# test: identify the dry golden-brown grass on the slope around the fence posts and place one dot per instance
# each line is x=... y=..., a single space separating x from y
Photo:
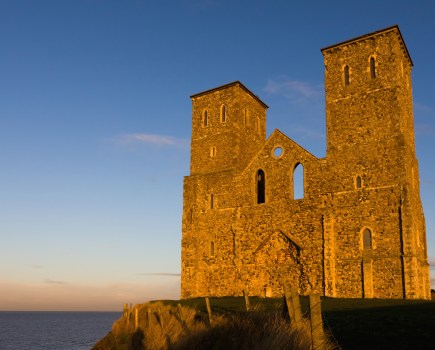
x=163 y=326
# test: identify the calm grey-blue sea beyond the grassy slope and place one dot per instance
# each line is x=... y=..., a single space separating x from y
x=53 y=330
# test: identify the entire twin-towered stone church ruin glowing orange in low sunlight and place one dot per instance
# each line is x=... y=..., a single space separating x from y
x=357 y=231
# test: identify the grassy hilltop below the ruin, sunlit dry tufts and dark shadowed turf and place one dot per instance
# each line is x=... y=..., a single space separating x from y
x=352 y=324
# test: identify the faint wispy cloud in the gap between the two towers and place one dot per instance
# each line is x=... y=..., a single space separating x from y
x=294 y=90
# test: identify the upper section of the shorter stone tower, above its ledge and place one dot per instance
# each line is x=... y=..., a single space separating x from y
x=228 y=128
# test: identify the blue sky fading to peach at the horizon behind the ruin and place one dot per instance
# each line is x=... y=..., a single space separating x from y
x=95 y=123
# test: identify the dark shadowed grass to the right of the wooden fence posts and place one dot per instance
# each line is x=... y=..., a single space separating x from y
x=381 y=324
